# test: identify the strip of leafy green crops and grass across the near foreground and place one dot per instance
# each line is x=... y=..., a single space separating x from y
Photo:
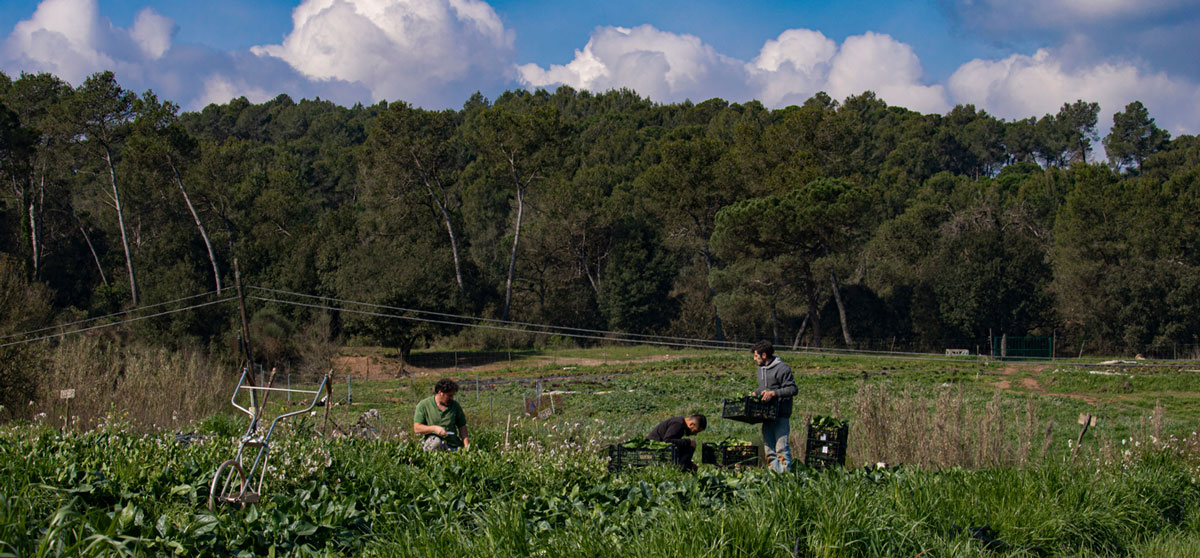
x=106 y=493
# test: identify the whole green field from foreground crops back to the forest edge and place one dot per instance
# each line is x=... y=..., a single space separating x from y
x=982 y=463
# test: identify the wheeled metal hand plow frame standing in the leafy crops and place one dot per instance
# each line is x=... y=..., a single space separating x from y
x=233 y=483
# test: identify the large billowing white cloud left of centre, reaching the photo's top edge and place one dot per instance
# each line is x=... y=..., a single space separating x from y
x=434 y=53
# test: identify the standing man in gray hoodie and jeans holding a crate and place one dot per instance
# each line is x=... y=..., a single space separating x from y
x=776 y=382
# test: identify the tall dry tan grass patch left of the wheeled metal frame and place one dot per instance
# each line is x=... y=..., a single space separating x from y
x=154 y=388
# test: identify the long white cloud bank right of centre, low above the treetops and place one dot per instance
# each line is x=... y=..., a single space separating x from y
x=670 y=68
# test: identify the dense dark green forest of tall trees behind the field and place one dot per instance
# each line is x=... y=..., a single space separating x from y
x=835 y=224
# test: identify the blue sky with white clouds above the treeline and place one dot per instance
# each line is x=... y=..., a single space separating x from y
x=1013 y=58
